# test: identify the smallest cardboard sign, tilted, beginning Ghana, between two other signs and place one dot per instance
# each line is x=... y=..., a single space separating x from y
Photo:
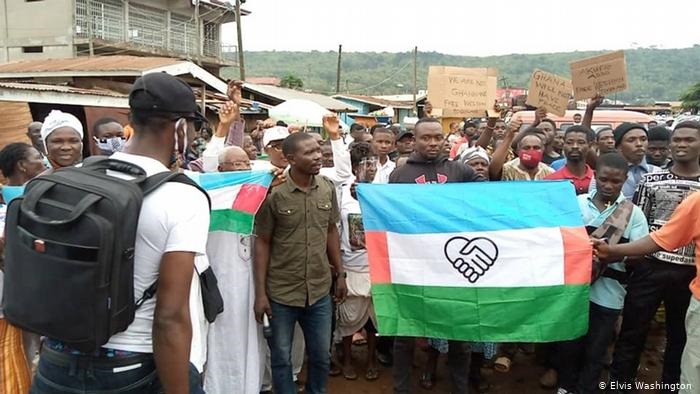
x=550 y=91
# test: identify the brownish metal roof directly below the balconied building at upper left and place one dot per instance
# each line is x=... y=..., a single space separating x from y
x=88 y=64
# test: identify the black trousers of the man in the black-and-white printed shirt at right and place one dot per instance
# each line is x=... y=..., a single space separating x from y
x=651 y=283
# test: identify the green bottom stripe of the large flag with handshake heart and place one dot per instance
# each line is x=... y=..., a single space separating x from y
x=493 y=314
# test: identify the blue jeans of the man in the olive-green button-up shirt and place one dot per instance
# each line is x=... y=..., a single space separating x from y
x=315 y=322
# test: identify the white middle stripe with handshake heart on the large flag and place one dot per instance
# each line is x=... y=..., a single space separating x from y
x=526 y=258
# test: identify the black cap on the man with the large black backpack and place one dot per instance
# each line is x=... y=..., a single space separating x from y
x=163 y=93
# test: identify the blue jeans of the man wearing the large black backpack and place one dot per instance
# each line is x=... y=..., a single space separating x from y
x=83 y=378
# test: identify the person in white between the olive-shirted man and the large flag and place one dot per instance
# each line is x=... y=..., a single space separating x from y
x=357 y=312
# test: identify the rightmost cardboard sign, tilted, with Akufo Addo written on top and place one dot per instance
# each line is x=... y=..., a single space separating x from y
x=599 y=75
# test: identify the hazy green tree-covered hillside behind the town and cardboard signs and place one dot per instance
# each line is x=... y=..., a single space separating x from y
x=654 y=74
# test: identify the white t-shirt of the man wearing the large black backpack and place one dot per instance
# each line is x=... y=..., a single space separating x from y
x=173 y=218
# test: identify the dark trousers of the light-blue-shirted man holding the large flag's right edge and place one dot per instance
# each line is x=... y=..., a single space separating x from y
x=582 y=360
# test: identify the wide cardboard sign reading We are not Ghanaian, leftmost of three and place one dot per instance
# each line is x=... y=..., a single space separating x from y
x=462 y=92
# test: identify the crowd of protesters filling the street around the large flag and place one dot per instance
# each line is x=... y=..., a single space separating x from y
x=301 y=285
